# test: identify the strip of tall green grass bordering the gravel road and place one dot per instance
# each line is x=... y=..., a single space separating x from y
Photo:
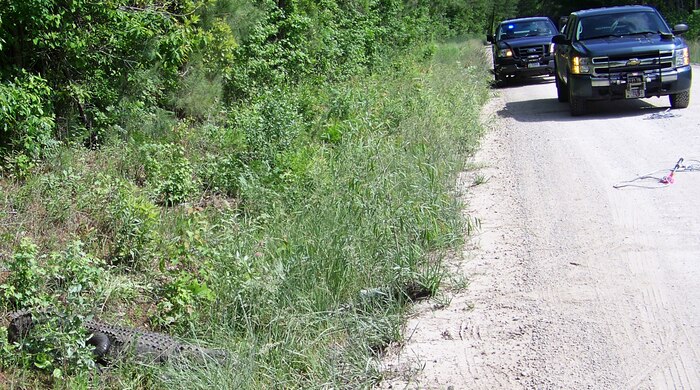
x=380 y=210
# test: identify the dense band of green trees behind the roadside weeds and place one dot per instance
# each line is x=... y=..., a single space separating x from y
x=82 y=71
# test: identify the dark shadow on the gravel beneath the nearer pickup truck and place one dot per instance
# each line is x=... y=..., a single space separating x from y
x=550 y=109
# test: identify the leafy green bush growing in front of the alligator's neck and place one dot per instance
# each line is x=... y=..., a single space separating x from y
x=61 y=290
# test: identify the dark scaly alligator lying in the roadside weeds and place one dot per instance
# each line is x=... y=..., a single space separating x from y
x=112 y=342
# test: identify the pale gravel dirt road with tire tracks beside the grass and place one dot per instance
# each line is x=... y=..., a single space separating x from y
x=574 y=284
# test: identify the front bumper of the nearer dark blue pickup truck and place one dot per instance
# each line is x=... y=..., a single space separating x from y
x=614 y=86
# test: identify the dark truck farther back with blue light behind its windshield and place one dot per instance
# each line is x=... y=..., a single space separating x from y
x=521 y=47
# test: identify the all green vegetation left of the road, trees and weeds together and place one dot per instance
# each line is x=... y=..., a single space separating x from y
x=270 y=178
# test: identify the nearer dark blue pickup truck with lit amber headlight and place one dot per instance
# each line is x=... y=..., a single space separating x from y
x=625 y=52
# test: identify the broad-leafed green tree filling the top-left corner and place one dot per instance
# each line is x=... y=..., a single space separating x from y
x=95 y=54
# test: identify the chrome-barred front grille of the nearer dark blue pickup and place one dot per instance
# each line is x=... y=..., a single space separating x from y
x=637 y=62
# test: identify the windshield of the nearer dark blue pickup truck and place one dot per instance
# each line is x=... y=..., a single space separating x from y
x=620 y=24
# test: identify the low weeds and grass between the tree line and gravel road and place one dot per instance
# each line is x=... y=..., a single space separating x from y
x=300 y=264
